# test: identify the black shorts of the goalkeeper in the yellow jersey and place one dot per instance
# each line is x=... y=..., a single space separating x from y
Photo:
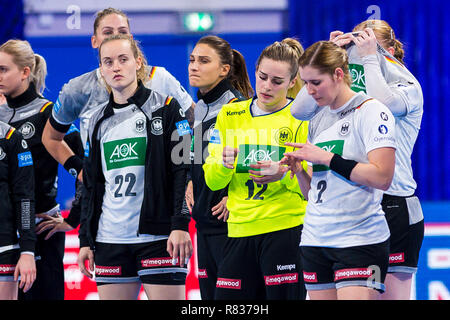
x=265 y=266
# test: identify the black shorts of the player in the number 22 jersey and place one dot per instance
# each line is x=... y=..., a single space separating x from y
x=149 y=263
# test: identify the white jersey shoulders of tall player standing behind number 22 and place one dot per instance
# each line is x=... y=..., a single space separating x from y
x=83 y=95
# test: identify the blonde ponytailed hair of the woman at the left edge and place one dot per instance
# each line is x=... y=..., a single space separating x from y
x=23 y=56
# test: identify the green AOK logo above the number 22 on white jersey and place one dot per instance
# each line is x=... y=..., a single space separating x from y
x=125 y=153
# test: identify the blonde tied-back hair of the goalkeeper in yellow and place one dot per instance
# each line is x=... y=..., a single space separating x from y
x=288 y=50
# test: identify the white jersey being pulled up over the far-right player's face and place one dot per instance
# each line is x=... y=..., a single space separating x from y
x=386 y=79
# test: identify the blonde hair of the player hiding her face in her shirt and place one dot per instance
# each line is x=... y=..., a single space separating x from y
x=385 y=34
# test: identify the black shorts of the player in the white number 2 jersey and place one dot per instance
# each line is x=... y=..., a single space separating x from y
x=335 y=268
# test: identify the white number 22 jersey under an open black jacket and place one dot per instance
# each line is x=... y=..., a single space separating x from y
x=123 y=147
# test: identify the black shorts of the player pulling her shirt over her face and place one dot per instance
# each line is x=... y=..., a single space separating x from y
x=405 y=219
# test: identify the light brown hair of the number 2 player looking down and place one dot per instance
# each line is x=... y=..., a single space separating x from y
x=326 y=57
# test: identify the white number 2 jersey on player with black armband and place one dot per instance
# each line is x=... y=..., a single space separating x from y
x=341 y=213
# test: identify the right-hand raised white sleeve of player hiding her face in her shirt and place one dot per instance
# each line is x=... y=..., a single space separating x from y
x=377 y=87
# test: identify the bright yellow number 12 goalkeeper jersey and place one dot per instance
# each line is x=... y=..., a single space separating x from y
x=255 y=208
